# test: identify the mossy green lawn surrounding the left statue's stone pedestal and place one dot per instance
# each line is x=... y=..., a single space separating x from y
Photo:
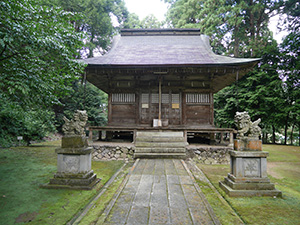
x=24 y=169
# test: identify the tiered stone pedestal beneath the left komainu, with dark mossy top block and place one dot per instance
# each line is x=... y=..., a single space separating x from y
x=74 y=165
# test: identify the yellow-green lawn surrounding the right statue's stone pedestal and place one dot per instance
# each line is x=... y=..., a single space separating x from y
x=284 y=171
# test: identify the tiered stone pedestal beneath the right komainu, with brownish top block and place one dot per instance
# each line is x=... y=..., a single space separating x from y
x=248 y=175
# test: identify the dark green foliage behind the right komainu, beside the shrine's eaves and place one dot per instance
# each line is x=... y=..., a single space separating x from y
x=259 y=93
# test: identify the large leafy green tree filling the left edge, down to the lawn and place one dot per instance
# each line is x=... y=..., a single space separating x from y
x=38 y=46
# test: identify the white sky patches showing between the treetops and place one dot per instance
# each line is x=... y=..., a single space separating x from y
x=158 y=8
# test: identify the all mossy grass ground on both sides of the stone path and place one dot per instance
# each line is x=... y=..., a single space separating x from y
x=24 y=169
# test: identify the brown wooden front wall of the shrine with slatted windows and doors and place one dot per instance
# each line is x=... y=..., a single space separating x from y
x=179 y=108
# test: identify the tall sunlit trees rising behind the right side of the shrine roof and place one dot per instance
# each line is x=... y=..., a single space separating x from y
x=239 y=27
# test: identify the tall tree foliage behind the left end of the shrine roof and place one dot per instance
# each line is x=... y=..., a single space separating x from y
x=96 y=21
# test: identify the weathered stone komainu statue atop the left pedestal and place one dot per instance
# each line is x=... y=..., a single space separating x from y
x=76 y=125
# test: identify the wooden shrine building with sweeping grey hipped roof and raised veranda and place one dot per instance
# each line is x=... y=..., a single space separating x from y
x=163 y=79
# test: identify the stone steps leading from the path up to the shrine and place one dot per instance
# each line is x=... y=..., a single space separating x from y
x=160 y=145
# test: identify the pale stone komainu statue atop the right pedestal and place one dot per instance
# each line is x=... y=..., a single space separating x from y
x=246 y=128
